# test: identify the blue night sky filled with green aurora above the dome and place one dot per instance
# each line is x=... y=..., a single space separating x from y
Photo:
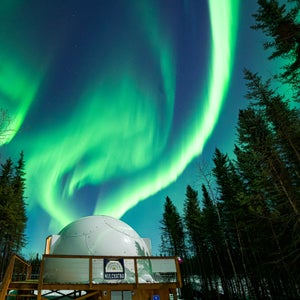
x=115 y=103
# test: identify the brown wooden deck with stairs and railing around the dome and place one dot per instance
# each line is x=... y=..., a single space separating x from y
x=46 y=288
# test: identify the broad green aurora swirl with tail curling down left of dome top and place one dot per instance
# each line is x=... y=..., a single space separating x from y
x=111 y=136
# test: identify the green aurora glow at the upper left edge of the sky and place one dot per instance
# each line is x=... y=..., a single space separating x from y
x=20 y=73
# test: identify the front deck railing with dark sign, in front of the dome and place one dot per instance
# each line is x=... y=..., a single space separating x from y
x=91 y=270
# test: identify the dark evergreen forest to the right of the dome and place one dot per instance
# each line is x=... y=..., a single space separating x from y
x=240 y=237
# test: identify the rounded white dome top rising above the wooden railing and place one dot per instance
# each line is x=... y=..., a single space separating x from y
x=99 y=235
